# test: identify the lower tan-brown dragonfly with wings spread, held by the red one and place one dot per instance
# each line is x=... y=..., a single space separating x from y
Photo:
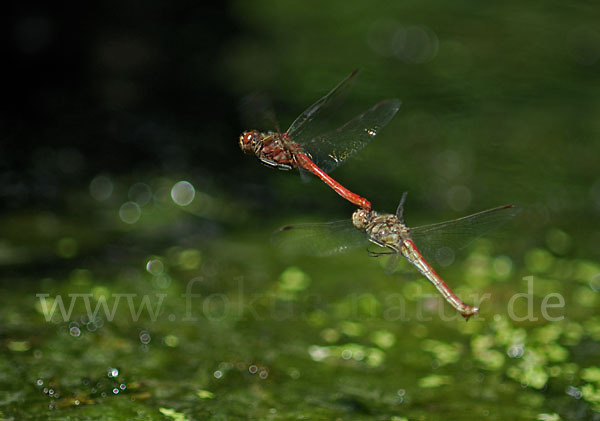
x=418 y=245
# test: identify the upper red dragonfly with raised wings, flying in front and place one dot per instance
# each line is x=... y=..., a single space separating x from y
x=308 y=145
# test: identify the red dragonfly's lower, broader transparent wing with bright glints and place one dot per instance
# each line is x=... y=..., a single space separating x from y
x=330 y=149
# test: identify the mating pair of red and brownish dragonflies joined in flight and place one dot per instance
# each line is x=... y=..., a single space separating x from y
x=306 y=147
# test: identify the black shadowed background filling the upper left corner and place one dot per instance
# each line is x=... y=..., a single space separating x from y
x=112 y=87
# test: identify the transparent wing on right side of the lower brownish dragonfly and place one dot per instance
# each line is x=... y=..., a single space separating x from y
x=439 y=242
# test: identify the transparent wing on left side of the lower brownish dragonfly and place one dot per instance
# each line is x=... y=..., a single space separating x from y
x=321 y=240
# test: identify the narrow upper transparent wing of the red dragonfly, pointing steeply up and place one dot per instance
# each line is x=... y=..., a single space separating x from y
x=302 y=128
